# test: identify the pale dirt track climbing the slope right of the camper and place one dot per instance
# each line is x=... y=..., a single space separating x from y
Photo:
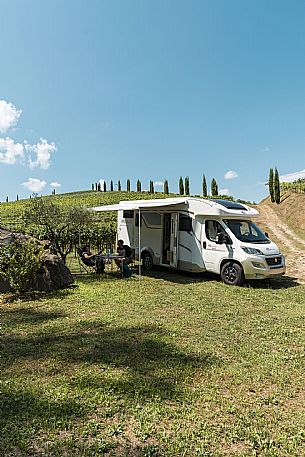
x=291 y=244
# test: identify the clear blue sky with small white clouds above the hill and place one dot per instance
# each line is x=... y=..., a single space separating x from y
x=121 y=89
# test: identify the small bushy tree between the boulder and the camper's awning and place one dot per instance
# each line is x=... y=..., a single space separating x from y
x=60 y=225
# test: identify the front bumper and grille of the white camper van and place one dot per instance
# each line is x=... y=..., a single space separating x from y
x=256 y=267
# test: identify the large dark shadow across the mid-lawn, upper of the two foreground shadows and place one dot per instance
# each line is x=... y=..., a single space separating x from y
x=151 y=366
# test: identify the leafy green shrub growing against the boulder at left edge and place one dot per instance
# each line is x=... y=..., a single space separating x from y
x=19 y=262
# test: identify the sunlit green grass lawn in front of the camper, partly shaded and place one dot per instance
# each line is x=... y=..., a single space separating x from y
x=176 y=366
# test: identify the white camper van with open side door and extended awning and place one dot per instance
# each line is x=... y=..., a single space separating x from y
x=197 y=235
